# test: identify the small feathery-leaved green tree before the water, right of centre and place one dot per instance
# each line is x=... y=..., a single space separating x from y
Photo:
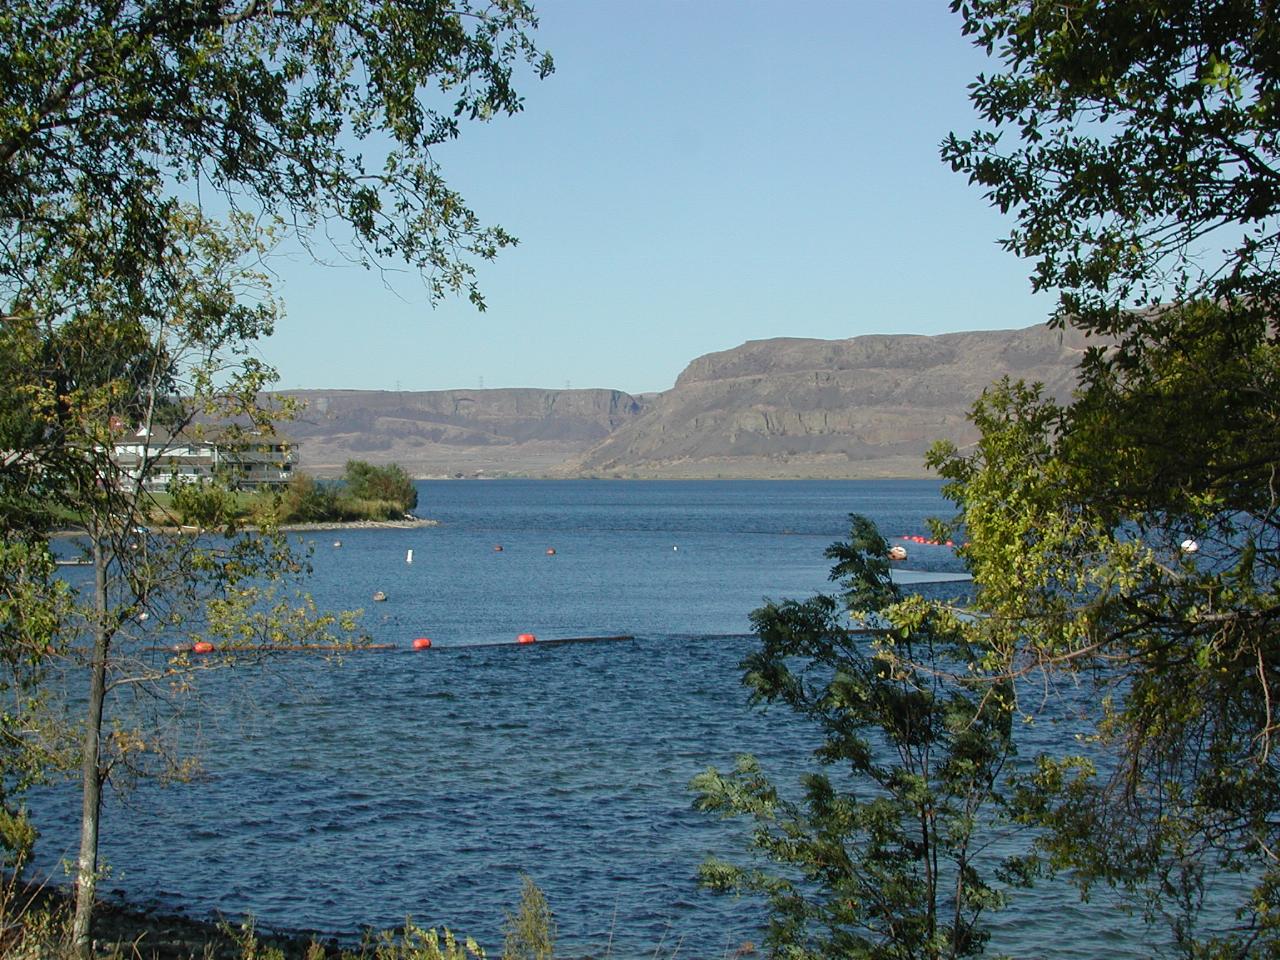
x=885 y=858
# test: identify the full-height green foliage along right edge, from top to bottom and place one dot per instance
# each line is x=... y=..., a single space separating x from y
x=1132 y=537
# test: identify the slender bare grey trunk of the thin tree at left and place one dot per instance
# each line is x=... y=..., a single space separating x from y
x=92 y=769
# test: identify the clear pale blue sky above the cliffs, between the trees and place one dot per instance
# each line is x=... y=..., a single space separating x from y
x=696 y=175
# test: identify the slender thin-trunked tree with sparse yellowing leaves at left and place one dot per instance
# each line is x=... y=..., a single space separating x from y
x=186 y=326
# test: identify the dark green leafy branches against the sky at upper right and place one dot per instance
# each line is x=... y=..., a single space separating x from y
x=1141 y=130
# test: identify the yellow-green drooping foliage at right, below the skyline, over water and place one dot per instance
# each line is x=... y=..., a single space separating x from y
x=1077 y=520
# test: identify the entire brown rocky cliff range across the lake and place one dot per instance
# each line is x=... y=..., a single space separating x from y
x=787 y=408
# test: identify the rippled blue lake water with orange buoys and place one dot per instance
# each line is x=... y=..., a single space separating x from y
x=426 y=784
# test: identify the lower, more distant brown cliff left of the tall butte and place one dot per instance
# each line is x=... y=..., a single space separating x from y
x=446 y=433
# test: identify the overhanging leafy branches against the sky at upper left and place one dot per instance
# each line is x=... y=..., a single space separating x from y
x=318 y=112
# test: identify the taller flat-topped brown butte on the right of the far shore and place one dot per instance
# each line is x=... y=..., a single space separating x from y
x=868 y=406
